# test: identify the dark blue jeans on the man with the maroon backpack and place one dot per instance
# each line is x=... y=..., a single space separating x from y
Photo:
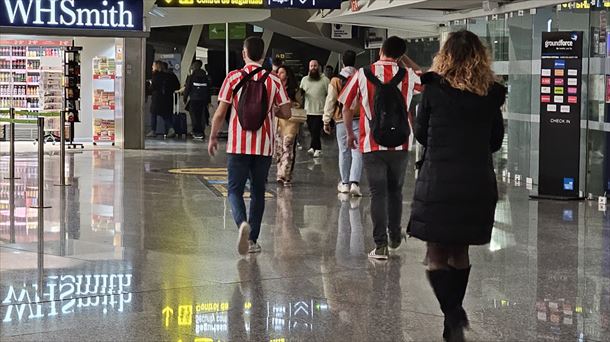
x=242 y=167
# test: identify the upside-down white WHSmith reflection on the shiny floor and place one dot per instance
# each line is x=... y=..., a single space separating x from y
x=67 y=294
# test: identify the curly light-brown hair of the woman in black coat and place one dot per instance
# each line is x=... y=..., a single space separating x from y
x=464 y=63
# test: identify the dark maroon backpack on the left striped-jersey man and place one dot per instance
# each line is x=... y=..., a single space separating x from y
x=253 y=105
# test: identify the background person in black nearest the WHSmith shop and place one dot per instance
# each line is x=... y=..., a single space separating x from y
x=163 y=86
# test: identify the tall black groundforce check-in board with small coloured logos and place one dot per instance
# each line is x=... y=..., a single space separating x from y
x=560 y=114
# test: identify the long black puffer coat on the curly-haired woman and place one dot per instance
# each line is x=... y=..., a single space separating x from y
x=456 y=191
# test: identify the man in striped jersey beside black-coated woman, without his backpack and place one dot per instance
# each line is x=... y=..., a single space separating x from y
x=385 y=167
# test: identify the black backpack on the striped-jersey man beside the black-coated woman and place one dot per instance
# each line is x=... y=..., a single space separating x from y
x=389 y=125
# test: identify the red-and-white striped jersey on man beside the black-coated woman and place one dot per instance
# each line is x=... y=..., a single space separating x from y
x=358 y=88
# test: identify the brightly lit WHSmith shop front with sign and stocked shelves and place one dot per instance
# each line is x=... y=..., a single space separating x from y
x=34 y=48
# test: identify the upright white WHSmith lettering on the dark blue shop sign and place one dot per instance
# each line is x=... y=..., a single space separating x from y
x=68 y=13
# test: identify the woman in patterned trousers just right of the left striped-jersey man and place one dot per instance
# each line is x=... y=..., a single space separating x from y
x=288 y=129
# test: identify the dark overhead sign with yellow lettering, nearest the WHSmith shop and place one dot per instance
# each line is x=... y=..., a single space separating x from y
x=262 y=4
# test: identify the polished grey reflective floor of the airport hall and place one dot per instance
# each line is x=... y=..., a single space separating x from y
x=133 y=252
